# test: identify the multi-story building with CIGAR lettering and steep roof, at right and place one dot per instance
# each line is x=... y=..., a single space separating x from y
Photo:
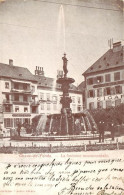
x=105 y=79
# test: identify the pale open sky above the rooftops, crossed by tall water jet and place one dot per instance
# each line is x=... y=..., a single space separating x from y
x=38 y=32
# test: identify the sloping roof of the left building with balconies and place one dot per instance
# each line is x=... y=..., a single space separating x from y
x=16 y=72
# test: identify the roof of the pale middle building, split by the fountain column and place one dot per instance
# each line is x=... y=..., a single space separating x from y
x=51 y=82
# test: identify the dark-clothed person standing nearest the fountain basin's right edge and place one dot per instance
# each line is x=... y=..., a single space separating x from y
x=101 y=126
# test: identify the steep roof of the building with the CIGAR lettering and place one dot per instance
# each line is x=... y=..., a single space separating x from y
x=110 y=59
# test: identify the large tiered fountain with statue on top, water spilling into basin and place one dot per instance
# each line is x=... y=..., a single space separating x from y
x=65 y=125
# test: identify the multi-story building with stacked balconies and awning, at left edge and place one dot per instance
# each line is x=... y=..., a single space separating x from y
x=18 y=93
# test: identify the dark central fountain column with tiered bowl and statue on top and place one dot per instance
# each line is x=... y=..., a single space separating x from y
x=66 y=112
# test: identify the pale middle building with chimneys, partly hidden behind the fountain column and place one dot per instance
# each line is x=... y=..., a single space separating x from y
x=49 y=94
